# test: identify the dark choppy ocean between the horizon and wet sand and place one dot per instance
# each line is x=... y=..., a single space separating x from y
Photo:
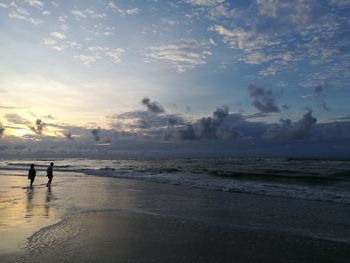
x=321 y=180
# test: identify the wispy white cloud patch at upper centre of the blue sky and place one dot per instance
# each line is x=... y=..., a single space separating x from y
x=183 y=55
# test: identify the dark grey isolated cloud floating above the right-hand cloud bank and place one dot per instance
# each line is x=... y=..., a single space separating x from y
x=264 y=100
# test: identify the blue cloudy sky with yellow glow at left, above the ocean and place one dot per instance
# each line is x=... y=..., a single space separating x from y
x=239 y=77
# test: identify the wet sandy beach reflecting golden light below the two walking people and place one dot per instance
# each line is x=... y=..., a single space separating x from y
x=99 y=219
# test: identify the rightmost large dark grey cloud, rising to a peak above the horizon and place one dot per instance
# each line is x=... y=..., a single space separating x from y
x=286 y=129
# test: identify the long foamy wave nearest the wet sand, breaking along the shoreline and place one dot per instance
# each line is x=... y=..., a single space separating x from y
x=230 y=185
